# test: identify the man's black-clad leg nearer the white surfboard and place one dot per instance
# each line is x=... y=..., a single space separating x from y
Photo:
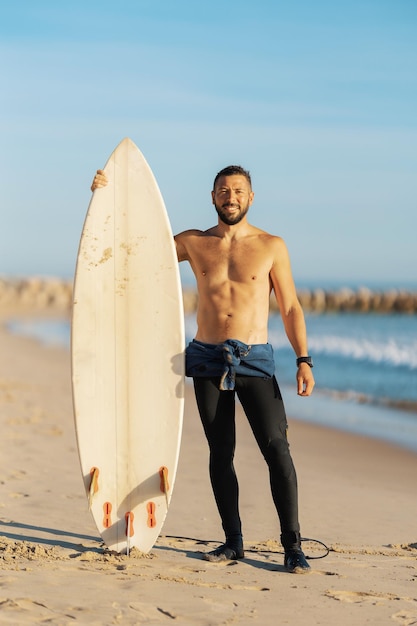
x=217 y=412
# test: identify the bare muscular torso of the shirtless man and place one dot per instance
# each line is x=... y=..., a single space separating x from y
x=233 y=280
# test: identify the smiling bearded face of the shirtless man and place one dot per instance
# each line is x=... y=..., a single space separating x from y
x=232 y=198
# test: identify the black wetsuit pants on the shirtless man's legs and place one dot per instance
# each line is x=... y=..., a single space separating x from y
x=262 y=402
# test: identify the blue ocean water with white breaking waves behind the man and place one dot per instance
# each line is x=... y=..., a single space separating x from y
x=365 y=366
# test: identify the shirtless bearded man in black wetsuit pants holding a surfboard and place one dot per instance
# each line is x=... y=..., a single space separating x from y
x=236 y=266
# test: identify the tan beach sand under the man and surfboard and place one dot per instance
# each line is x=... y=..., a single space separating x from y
x=357 y=495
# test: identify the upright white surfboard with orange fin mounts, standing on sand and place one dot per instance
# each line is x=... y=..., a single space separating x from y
x=127 y=346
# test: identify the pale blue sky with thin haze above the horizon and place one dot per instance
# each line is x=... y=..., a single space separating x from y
x=317 y=99
